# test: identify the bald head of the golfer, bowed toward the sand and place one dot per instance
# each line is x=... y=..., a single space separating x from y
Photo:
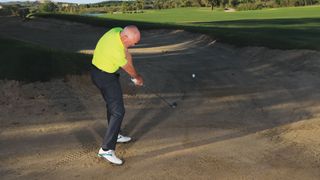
x=130 y=35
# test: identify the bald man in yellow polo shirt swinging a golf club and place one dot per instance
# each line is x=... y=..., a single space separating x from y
x=111 y=54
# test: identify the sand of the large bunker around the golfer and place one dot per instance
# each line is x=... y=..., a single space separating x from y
x=250 y=112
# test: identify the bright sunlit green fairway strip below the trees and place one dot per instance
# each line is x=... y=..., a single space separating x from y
x=187 y=16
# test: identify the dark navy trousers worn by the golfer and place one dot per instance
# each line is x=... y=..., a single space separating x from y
x=110 y=88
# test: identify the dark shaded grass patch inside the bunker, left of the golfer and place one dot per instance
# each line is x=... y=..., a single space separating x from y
x=28 y=62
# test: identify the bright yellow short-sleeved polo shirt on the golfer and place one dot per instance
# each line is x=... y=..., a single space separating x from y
x=109 y=54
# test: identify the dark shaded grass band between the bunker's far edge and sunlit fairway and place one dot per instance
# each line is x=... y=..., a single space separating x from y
x=286 y=33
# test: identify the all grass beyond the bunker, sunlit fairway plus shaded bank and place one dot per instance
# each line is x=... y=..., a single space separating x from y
x=282 y=28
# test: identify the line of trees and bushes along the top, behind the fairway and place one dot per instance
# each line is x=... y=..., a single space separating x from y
x=137 y=6
